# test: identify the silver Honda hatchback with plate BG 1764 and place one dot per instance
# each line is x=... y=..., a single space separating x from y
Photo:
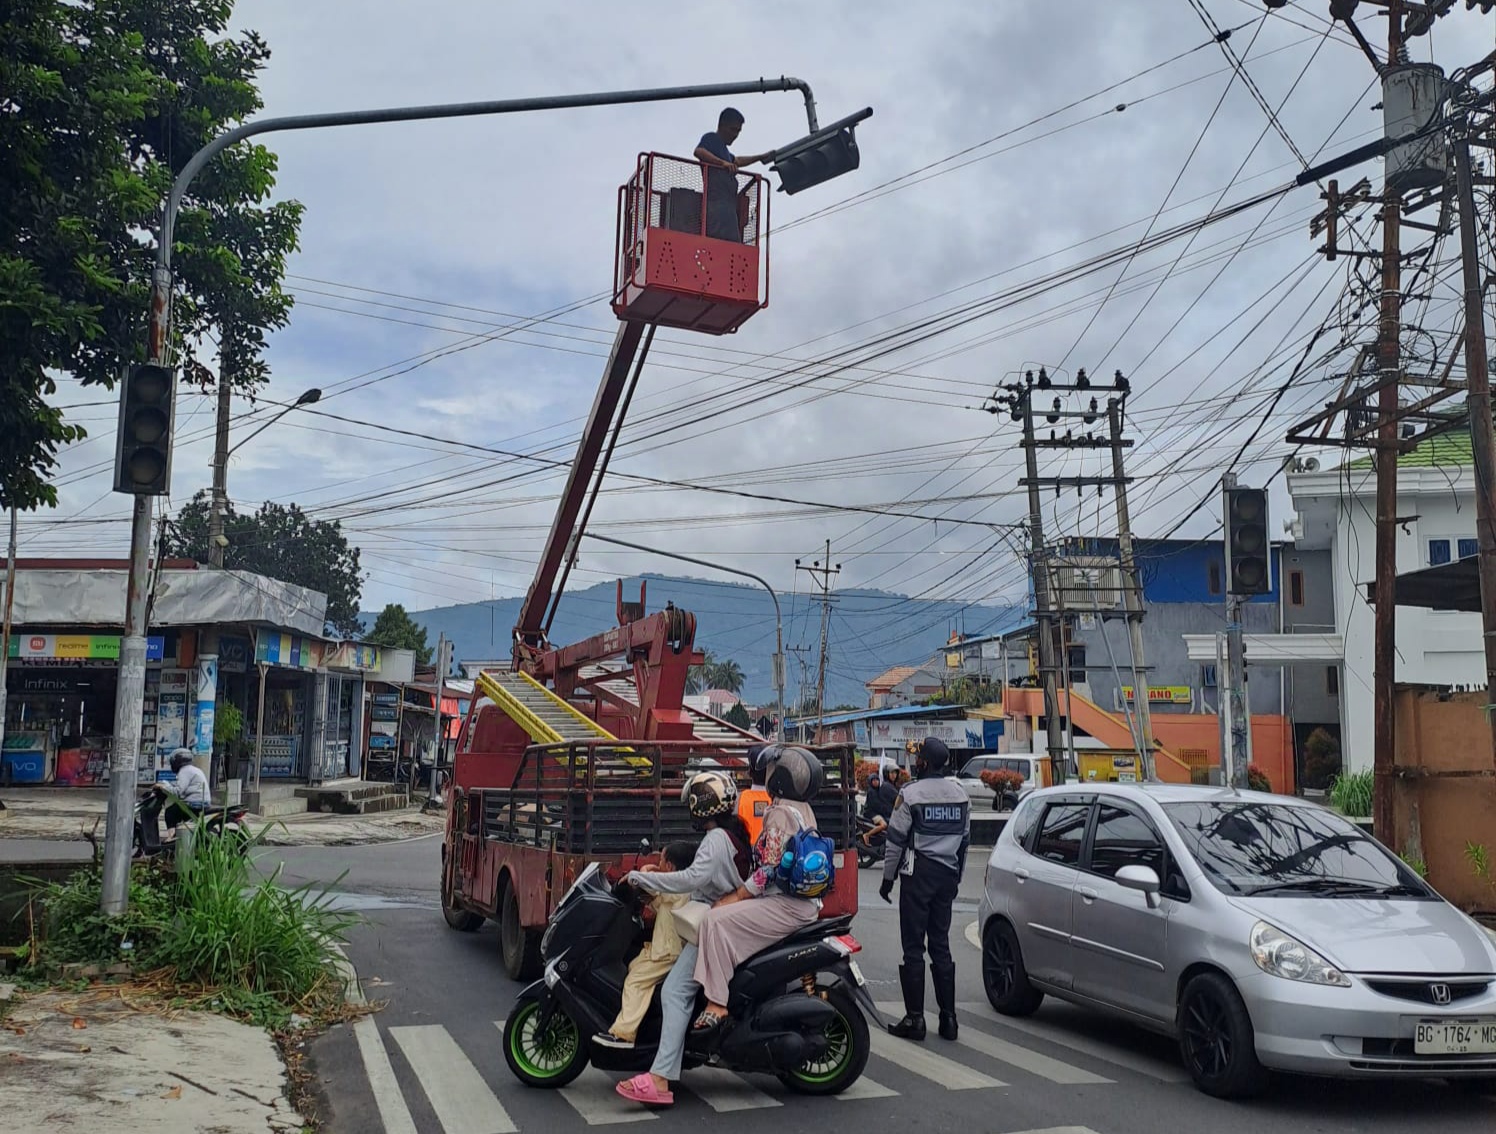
x=1260 y=931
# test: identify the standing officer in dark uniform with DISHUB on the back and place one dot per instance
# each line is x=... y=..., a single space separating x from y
x=928 y=840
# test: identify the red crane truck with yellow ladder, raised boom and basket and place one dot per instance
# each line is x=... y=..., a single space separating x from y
x=578 y=753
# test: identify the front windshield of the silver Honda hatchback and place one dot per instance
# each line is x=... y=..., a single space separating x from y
x=1275 y=849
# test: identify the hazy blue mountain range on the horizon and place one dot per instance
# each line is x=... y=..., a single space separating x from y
x=867 y=634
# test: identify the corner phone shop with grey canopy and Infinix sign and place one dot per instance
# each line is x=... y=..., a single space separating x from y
x=219 y=641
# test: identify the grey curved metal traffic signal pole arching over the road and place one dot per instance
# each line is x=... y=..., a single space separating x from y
x=131 y=698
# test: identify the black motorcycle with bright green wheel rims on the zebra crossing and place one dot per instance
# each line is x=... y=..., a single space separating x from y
x=795 y=1009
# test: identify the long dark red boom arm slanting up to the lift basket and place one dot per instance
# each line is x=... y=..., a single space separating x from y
x=530 y=628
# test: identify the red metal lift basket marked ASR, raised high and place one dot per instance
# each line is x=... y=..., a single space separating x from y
x=693 y=248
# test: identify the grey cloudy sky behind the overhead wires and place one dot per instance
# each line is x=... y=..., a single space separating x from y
x=1011 y=143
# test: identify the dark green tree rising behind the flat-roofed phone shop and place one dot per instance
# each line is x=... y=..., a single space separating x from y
x=282 y=542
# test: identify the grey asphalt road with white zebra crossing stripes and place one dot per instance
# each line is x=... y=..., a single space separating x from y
x=435 y=1057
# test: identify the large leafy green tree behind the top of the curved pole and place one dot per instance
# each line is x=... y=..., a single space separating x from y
x=102 y=102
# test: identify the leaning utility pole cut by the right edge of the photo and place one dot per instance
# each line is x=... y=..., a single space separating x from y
x=1479 y=379
